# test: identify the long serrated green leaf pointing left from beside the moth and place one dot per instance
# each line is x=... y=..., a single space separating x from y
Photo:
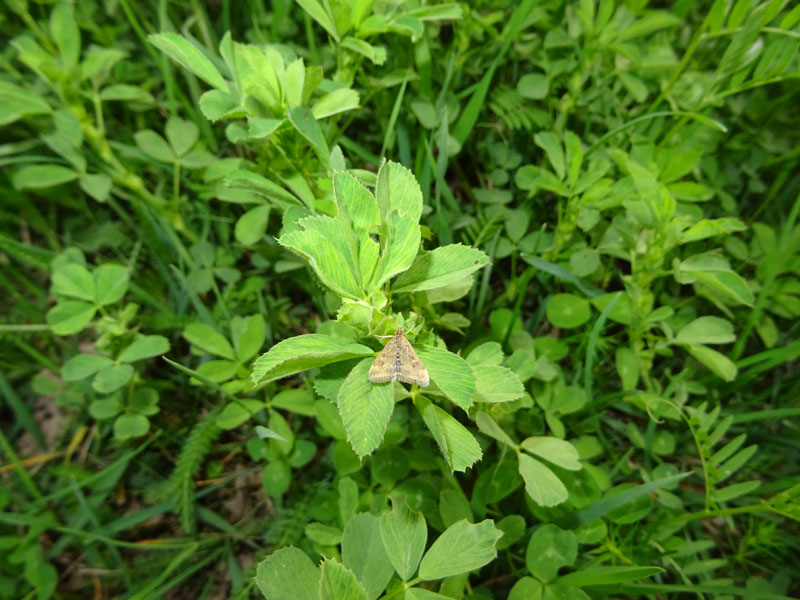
x=304 y=352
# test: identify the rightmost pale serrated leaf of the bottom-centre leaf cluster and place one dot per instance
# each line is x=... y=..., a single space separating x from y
x=463 y=547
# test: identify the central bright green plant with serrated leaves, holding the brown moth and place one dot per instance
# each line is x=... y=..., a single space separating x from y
x=373 y=239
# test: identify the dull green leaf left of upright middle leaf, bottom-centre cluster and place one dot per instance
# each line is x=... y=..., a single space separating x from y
x=363 y=553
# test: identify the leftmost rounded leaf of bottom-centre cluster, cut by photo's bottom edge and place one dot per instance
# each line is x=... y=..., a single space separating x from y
x=288 y=574
